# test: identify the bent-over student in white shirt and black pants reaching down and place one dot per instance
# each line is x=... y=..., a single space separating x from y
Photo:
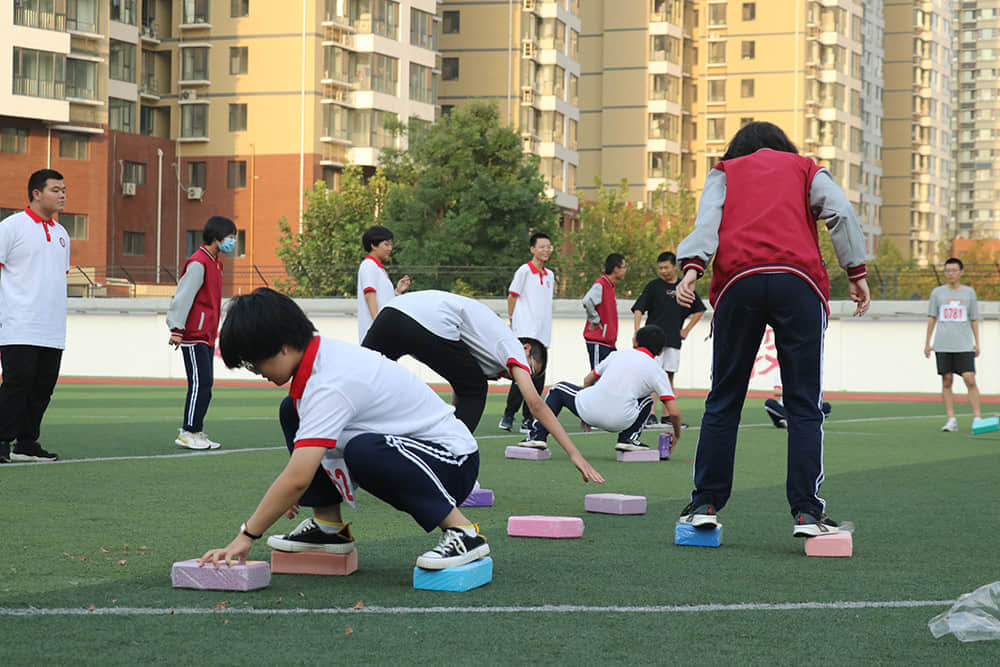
x=465 y=342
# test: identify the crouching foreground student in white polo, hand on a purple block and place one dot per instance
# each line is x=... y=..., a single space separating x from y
x=352 y=418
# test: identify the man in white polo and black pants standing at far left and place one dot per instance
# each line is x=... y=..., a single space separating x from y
x=34 y=260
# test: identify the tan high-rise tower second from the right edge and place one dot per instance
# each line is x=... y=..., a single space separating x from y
x=917 y=126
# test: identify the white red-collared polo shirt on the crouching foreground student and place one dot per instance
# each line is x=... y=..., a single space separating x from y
x=342 y=390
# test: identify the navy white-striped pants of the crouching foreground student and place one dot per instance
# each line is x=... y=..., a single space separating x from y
x=418 y=477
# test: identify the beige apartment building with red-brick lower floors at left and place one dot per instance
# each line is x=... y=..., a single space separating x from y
x=162 y=113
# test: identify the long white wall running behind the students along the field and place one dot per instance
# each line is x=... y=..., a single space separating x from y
x=882 y=352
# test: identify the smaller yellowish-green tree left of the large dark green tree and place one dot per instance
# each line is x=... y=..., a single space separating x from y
x=322 y=260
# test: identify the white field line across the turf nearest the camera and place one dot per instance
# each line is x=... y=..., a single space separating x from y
x=541 y=609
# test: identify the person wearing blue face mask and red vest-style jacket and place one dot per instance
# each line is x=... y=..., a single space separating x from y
x=193 y=319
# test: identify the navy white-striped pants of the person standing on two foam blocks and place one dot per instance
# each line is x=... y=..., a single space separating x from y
x=796 y=313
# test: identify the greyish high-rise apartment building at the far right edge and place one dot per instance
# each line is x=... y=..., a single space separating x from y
x=976 y=128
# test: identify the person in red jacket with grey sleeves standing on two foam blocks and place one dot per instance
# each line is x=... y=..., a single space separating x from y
x=757 y=219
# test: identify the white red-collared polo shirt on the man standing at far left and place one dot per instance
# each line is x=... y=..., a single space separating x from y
x=34 y=259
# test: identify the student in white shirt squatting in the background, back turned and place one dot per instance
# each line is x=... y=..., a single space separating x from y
x=616 y=395
